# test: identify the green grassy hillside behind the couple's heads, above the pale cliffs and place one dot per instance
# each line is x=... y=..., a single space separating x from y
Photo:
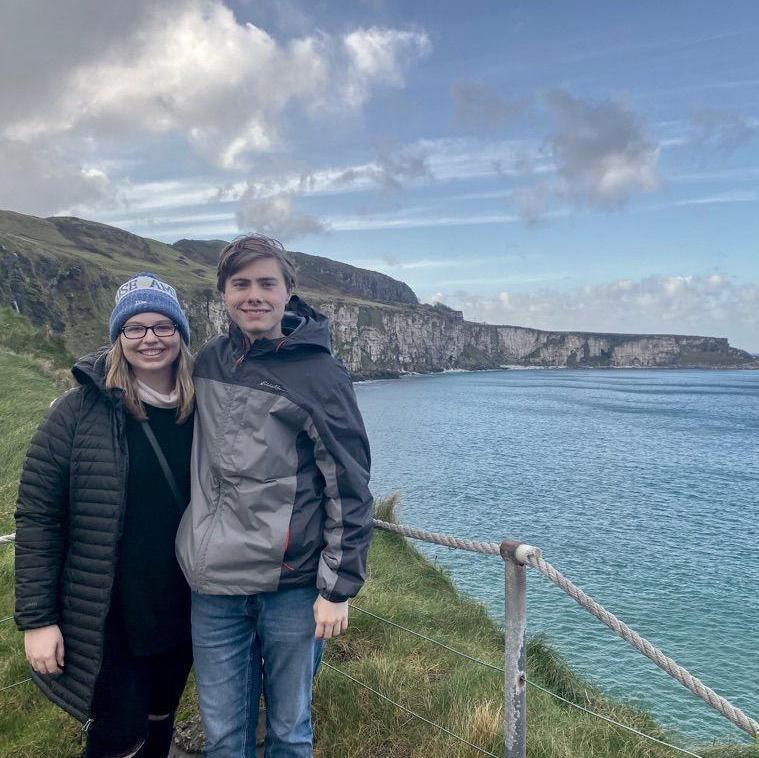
x=63 y=273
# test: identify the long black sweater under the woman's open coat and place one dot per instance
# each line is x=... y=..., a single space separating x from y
x=151 y=597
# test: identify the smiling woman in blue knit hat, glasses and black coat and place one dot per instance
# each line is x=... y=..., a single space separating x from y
x=99 y=595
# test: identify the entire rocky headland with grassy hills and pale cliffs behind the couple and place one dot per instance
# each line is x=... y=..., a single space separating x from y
x=62 y=272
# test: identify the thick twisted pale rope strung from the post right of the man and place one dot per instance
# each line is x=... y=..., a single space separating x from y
x=530 y=556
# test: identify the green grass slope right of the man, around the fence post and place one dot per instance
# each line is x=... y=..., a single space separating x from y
x=449 y=690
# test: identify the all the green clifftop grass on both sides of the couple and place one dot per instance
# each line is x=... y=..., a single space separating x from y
x=349 y=720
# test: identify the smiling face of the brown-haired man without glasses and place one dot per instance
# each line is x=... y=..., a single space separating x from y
x=255 y=298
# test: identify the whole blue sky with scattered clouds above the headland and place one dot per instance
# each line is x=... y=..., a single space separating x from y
x=564 y=165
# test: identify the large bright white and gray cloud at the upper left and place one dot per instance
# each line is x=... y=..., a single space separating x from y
x=118 y=72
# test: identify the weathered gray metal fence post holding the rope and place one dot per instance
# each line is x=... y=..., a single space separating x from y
x=514 y=555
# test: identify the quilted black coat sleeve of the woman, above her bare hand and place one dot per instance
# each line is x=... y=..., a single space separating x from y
x=41 y=514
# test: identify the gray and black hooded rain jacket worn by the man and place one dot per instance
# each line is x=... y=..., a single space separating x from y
x=280 y=467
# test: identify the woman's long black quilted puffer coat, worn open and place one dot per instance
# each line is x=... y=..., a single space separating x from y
x=68 y=523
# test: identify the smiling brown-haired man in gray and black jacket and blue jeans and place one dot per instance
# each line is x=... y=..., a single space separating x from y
x=274 y=542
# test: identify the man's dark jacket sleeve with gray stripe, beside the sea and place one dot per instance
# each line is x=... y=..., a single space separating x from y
x=343 y=458
